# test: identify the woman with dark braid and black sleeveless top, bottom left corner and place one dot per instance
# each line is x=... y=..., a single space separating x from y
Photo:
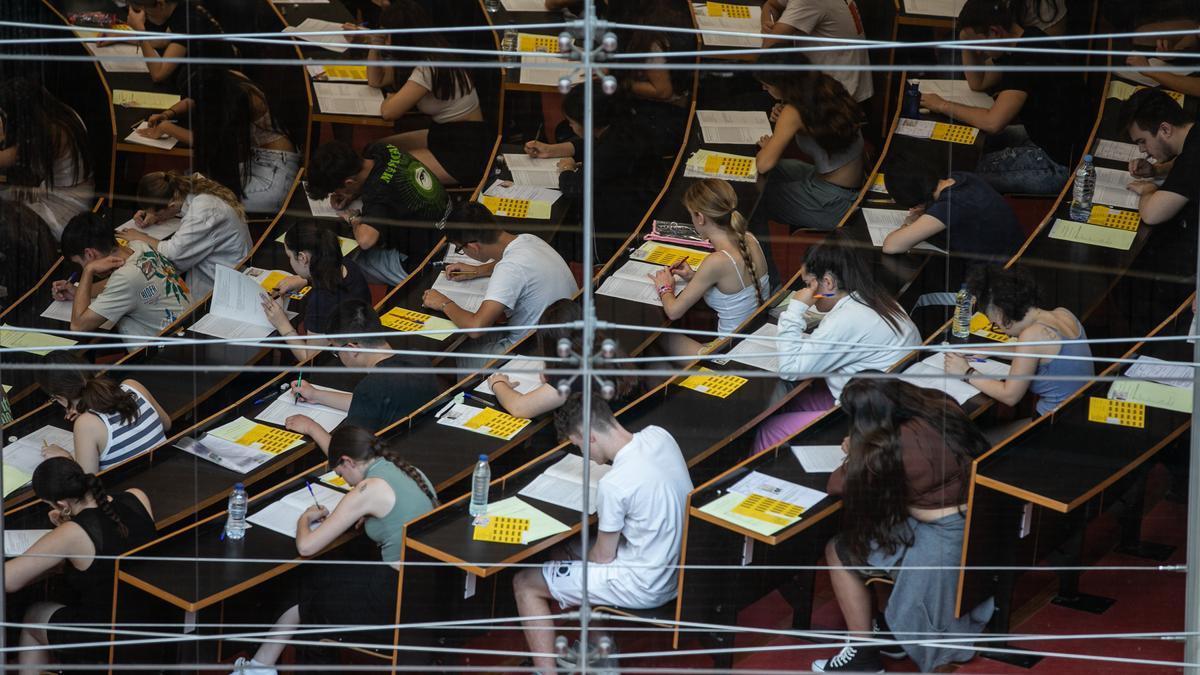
x=88 y=524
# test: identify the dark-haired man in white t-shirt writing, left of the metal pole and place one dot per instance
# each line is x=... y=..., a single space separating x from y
x=525 y=274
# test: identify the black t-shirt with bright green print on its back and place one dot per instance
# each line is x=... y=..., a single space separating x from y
x=403 y=200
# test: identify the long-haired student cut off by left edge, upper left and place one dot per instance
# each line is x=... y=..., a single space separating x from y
x=44 y=154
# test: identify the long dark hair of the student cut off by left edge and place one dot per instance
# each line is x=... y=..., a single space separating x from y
x=43 y=129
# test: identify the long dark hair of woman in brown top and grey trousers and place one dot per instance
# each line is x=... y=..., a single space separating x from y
x=877 y=489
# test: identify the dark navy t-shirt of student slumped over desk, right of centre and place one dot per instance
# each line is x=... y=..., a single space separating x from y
x=979 y=222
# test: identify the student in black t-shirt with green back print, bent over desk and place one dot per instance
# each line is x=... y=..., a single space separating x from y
x=403 y=200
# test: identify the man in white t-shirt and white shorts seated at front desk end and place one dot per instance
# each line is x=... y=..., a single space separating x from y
x=640 y=505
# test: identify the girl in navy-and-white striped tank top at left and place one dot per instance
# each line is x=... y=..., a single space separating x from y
x=112 y=422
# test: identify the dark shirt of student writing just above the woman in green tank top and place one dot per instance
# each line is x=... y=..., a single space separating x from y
x=383 y=398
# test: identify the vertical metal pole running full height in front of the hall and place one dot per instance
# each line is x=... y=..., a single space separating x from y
x=589 y=337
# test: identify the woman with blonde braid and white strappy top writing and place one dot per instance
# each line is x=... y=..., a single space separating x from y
x=733 y=280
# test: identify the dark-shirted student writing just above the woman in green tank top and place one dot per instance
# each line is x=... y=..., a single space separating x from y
x=380 y=398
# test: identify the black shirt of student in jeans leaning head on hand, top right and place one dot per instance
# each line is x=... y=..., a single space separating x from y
x=1052 y=114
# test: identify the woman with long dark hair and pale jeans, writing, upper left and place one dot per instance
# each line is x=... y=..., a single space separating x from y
x=236 y=139
